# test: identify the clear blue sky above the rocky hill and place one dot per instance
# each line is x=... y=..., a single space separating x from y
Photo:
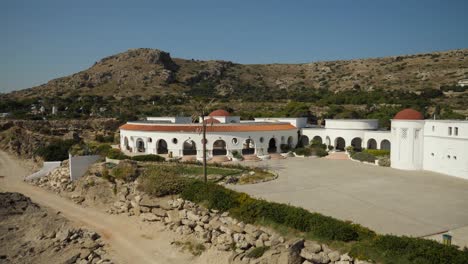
x=45 y=39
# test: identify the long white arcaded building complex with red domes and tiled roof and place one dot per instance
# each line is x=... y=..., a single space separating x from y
x=414 y=143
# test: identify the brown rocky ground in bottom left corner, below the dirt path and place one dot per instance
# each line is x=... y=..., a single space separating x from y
x=31 y=234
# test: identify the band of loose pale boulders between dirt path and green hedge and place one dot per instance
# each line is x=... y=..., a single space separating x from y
x=200 y=228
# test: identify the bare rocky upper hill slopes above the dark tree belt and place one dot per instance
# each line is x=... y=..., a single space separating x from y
x=149 y=72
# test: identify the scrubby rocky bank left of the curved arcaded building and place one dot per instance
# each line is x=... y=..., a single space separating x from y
x=23 y=137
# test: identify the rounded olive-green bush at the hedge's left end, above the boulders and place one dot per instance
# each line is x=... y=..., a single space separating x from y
x=162 y=180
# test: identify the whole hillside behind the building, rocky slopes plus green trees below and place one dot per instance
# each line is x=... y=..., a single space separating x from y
x=150 y=82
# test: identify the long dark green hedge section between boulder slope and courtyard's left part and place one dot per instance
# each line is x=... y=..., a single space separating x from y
x=251 y=210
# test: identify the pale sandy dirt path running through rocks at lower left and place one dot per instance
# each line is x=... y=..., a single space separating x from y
x=129 y=240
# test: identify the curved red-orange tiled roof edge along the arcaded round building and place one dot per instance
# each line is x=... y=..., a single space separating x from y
x=209 y=128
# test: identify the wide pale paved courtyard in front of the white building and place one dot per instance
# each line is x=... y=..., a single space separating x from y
x=386 y=200
